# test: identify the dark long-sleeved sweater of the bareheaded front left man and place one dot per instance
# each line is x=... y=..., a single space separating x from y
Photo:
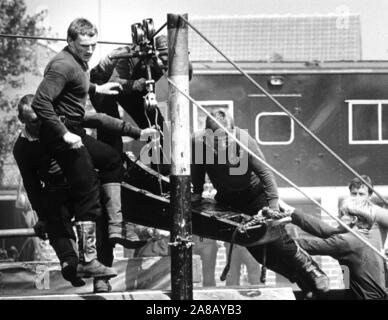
x=63 y=91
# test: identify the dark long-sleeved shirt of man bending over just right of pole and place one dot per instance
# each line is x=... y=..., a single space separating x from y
x=255 y=176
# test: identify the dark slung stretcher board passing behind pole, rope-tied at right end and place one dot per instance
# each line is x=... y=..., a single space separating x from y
x=209 y=219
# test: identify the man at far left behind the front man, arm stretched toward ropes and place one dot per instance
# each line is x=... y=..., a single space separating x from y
x=52 y=201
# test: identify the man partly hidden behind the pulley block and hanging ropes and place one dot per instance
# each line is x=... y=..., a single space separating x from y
x=131 y=74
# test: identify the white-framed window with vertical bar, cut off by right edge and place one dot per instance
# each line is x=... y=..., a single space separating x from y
x=368 y=121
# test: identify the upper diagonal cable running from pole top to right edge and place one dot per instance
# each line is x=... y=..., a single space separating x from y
x=278 y=104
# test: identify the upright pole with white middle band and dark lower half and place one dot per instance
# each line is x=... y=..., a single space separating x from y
x=179 y=107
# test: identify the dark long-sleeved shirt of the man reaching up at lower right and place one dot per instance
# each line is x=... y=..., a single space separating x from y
x=365 y=266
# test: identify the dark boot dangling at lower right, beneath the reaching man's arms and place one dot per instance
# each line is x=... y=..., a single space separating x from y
x=308 y=275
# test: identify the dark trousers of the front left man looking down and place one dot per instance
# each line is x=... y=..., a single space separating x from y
x=78 y=168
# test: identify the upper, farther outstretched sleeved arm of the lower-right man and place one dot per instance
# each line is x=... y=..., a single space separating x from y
x=314 y=225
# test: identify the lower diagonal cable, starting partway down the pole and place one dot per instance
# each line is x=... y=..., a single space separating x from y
x=276 y=171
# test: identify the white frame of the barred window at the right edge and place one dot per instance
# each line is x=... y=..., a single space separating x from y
x=379 y=104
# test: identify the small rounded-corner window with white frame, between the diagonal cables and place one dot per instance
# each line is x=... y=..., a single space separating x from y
x=274 y=128
